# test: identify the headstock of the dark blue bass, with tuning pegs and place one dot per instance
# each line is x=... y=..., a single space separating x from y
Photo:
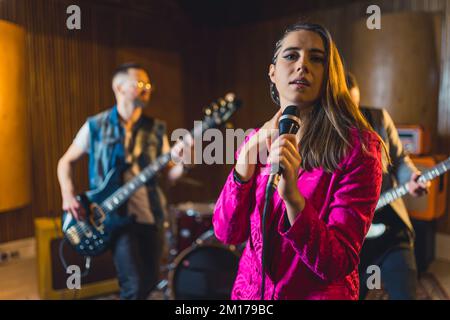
x=219 y=111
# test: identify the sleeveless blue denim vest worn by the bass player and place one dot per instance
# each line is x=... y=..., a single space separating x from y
x=107 y=152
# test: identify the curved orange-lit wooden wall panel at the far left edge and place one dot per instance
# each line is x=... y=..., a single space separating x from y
x=15 y=180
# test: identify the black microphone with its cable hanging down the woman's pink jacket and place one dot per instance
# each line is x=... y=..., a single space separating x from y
x=289 y=123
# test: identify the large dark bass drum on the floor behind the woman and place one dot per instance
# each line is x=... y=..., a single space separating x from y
x=205 y=271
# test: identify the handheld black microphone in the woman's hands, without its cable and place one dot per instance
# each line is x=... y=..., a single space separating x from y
x=289 y=123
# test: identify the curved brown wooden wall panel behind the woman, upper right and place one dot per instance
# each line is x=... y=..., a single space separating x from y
x=398 y=69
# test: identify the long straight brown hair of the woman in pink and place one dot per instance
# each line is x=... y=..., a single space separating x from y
x=332 y=115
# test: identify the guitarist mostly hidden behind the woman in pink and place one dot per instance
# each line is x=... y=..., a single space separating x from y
x=393 y=251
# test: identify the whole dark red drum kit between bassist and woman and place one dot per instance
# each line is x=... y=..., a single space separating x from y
x=198 y=265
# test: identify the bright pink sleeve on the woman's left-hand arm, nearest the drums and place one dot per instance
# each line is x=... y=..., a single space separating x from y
x=231 y=219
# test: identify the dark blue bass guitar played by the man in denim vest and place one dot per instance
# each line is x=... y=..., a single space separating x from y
x=92 y=235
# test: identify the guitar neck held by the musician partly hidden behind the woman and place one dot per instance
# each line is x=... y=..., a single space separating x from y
x=398 y=192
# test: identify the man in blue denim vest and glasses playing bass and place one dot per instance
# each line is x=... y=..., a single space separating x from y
x=124 y=136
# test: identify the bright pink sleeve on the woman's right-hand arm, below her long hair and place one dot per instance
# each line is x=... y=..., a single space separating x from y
x=331 y=249
